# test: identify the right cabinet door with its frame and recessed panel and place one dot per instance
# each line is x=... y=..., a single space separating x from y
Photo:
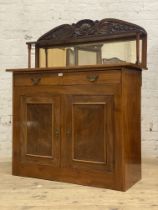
x=89 y=132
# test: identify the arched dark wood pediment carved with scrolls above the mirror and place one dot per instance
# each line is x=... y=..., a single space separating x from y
x=89 y=30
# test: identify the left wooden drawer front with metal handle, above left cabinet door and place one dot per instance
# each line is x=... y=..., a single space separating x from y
x=37 y=79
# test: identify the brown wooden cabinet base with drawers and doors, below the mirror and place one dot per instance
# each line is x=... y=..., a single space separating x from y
x=86 y=132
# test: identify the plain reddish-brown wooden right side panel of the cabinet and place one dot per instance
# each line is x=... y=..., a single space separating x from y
x=131 y=106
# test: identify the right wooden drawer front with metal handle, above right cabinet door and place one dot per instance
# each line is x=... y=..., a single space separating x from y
x=93 y=77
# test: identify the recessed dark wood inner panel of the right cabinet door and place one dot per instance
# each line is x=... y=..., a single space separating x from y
x=86 y=132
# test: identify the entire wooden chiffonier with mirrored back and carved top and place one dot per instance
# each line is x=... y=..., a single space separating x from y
x=77 y=113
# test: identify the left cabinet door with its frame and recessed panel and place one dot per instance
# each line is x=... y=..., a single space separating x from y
x=40 y=129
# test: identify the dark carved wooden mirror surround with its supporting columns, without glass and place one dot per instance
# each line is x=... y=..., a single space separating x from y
x=89 y=31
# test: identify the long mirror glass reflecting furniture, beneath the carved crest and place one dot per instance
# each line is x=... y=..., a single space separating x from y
x=90 y=54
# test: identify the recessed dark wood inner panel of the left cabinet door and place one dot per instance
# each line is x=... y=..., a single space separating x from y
x=39 y=127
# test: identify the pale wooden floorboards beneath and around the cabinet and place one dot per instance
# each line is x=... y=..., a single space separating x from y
x=18 y=193
